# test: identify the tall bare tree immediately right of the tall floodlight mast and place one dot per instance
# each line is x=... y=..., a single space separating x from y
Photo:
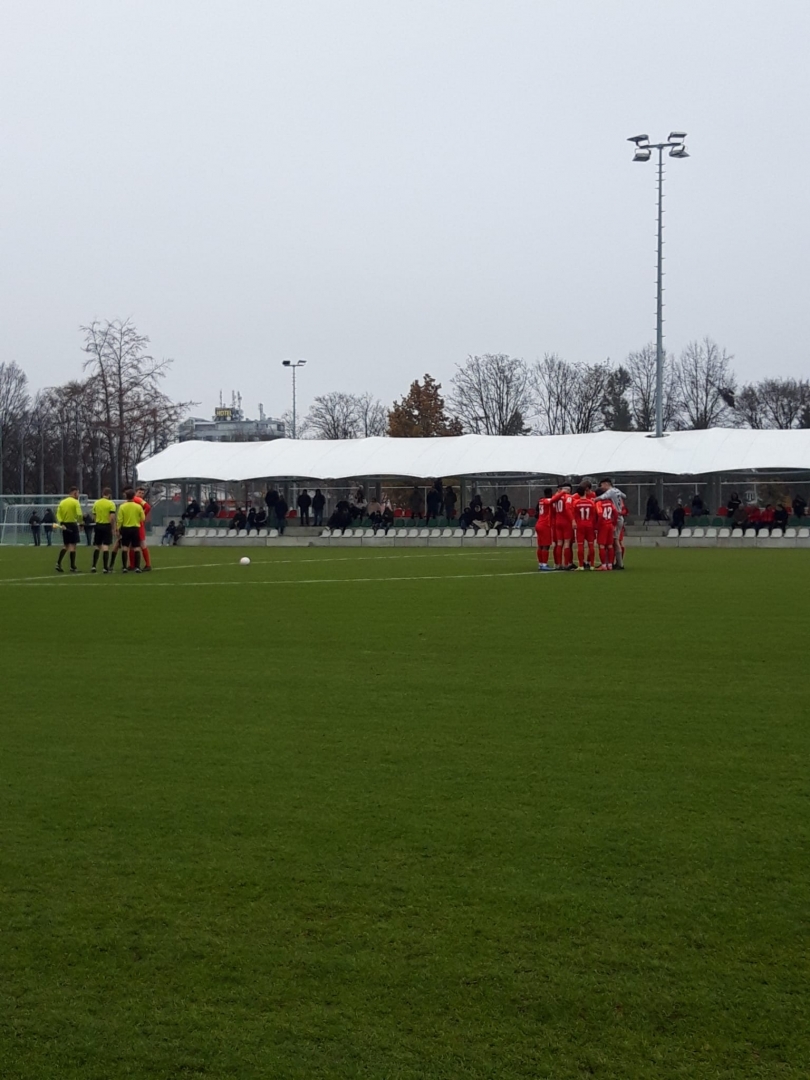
x=706 y=385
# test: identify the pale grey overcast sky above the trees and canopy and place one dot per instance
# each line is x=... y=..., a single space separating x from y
x=385 y=187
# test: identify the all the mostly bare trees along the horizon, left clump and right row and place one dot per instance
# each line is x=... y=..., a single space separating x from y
x=96 y=429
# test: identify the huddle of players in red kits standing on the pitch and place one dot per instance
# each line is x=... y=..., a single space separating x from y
x=592 y=521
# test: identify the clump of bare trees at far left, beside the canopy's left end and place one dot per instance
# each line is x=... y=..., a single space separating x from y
x=93 y=430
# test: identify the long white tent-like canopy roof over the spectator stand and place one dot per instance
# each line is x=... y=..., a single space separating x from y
x=678 y=454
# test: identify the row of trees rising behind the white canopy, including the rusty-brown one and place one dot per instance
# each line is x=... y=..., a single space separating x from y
x=498 y=395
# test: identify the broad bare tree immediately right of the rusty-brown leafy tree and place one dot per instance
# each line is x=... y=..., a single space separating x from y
x=492 y=395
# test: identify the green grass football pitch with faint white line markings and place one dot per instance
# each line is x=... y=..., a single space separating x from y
x=406 y=815
